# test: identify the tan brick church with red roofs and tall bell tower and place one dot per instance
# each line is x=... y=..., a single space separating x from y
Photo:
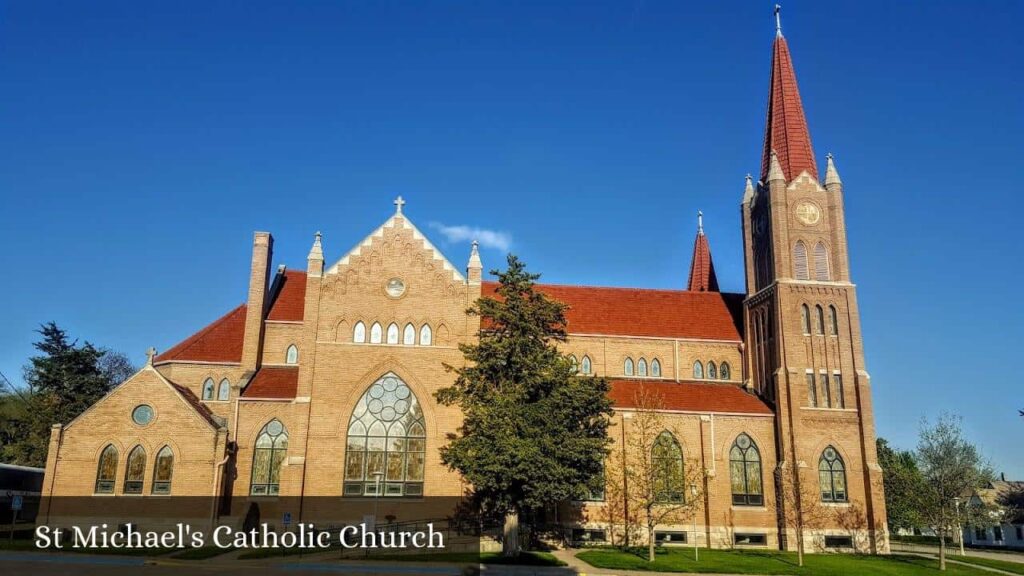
x=321 y=383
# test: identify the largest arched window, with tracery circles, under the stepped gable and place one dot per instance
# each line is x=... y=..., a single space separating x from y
x=387 y=442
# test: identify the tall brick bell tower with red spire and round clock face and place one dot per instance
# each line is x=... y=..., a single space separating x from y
x=803 y=330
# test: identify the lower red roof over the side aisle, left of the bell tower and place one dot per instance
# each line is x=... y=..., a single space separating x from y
x=690 y=397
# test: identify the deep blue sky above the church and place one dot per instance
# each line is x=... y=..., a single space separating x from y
x=144 y=143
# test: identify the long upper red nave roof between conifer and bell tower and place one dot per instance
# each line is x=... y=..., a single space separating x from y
x=638 y=312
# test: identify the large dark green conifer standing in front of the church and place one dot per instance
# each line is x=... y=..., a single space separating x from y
x=535 y=432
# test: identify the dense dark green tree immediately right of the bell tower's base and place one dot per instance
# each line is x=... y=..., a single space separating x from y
x=903 y=483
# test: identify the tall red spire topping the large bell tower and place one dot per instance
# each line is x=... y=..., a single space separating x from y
x=786 y=130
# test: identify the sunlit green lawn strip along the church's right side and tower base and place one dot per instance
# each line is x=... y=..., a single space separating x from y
x=772 y=562
